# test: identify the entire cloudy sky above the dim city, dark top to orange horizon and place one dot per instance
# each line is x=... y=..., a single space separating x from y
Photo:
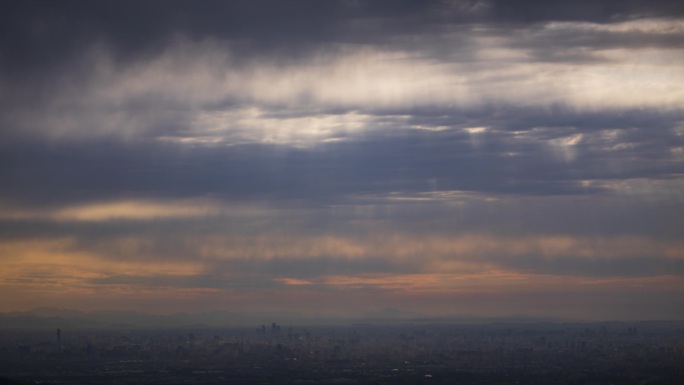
x=332 y=158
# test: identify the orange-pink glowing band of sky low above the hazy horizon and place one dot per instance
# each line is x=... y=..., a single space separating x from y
x=445 y=278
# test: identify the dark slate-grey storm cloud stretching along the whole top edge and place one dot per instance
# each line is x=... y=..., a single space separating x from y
x=38 y=33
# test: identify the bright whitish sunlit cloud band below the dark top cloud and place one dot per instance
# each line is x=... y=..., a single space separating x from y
x=198 y=92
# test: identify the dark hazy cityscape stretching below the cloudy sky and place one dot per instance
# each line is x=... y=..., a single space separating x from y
x=396 y=353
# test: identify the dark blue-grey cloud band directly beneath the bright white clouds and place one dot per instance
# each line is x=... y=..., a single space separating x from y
x=533 y=154
